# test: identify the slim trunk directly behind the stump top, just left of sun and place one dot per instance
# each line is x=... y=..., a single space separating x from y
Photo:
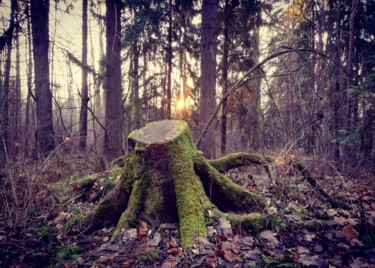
x=169 y=63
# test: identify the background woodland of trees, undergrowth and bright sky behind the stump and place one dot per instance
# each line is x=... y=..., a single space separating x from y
x=270 y=77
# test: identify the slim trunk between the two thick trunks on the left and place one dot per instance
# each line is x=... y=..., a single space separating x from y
x=84 y=90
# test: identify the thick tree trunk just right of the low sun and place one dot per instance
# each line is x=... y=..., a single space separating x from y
x=208 y=74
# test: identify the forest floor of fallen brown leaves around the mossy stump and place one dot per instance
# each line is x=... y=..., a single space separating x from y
x=49 y=237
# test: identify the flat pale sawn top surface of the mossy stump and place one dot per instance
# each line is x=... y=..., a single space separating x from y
x=158 y=132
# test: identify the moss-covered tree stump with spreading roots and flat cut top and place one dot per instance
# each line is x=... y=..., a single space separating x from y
x=166 y=179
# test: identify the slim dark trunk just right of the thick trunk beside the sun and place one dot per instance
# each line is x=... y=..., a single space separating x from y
x=225 y=79
